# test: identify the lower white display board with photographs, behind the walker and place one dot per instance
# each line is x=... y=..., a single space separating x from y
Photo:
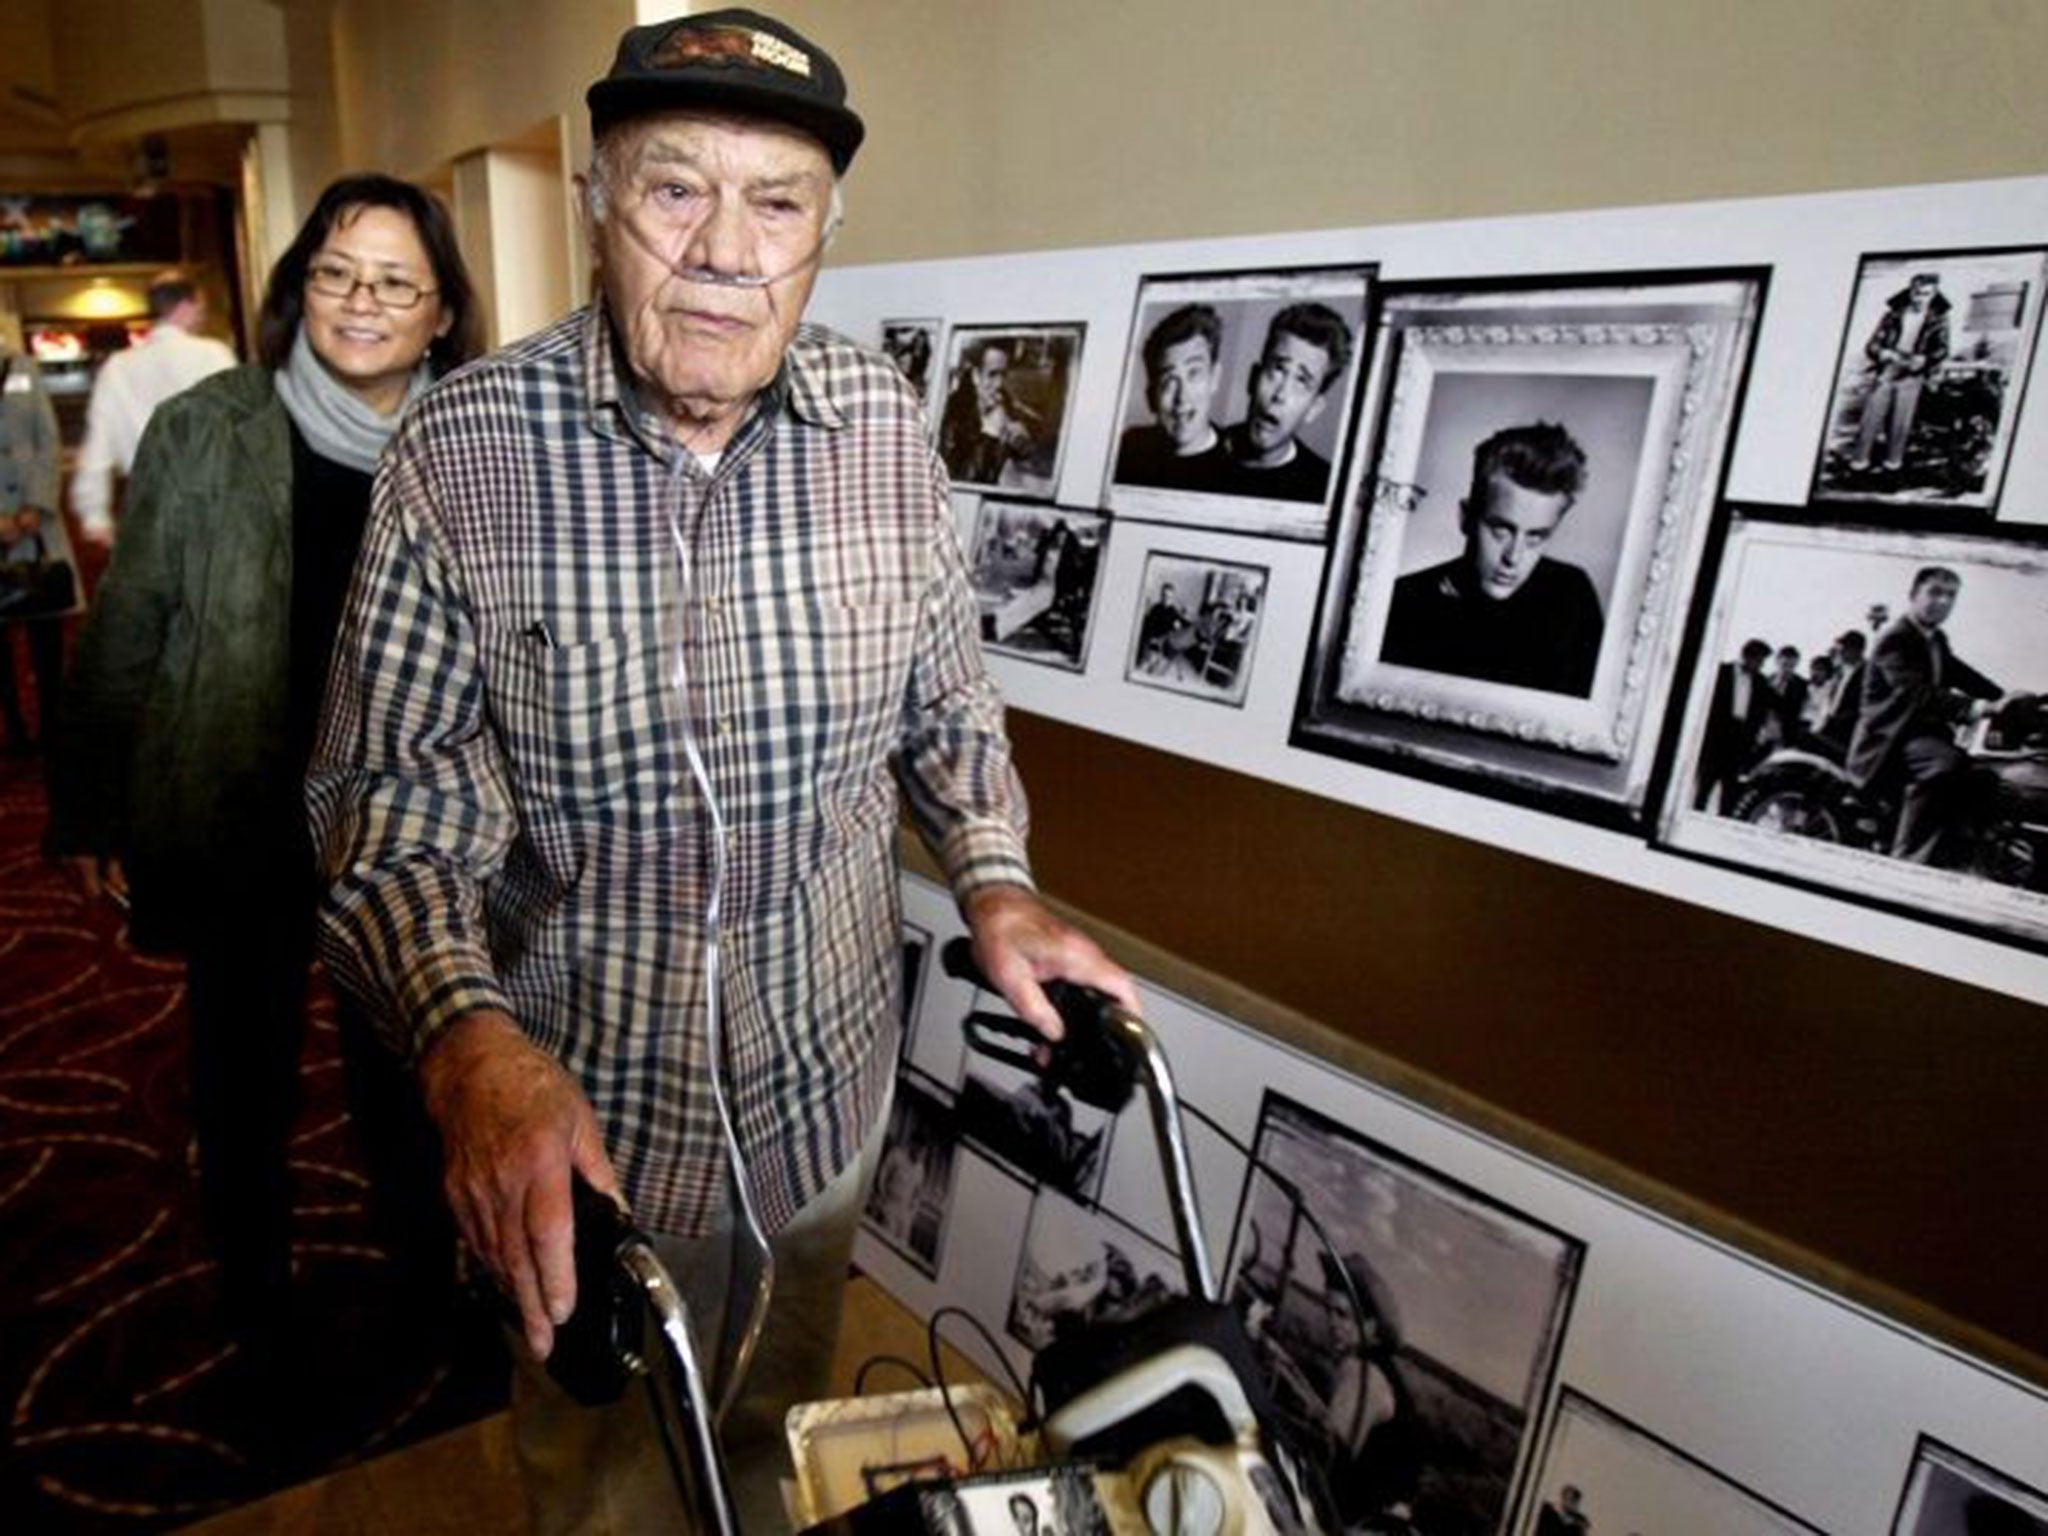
x=1529 y=1330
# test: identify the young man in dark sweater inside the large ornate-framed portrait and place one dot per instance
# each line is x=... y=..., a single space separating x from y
x=1504 y=611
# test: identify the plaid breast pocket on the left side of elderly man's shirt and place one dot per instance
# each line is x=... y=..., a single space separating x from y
x=585 y=726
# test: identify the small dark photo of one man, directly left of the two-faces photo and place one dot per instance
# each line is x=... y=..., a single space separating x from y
x=1009 y=398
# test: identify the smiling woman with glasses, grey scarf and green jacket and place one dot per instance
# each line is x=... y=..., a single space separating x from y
x=200 y=675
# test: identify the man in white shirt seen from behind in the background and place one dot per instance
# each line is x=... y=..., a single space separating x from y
x=130 y=386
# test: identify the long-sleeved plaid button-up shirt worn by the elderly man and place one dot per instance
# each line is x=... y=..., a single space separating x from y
x=552 y=609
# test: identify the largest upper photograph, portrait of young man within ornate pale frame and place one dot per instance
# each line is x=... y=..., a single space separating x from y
x=1512 y=568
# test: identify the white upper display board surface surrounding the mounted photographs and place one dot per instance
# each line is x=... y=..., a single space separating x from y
x=1818 y=255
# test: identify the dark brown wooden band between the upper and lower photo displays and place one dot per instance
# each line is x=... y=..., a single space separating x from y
x=1881 y=1117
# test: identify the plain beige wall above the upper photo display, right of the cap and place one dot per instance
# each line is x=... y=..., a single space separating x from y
x=1002 y=126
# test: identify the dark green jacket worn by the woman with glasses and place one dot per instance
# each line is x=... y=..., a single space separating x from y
x=173 y=753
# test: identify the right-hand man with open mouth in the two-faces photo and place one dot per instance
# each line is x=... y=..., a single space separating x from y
x=1308 y=349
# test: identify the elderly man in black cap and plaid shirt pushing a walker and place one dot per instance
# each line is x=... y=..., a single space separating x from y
x=656 y=613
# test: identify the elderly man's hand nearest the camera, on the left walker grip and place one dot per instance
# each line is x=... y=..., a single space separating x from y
x=513 y=1127
